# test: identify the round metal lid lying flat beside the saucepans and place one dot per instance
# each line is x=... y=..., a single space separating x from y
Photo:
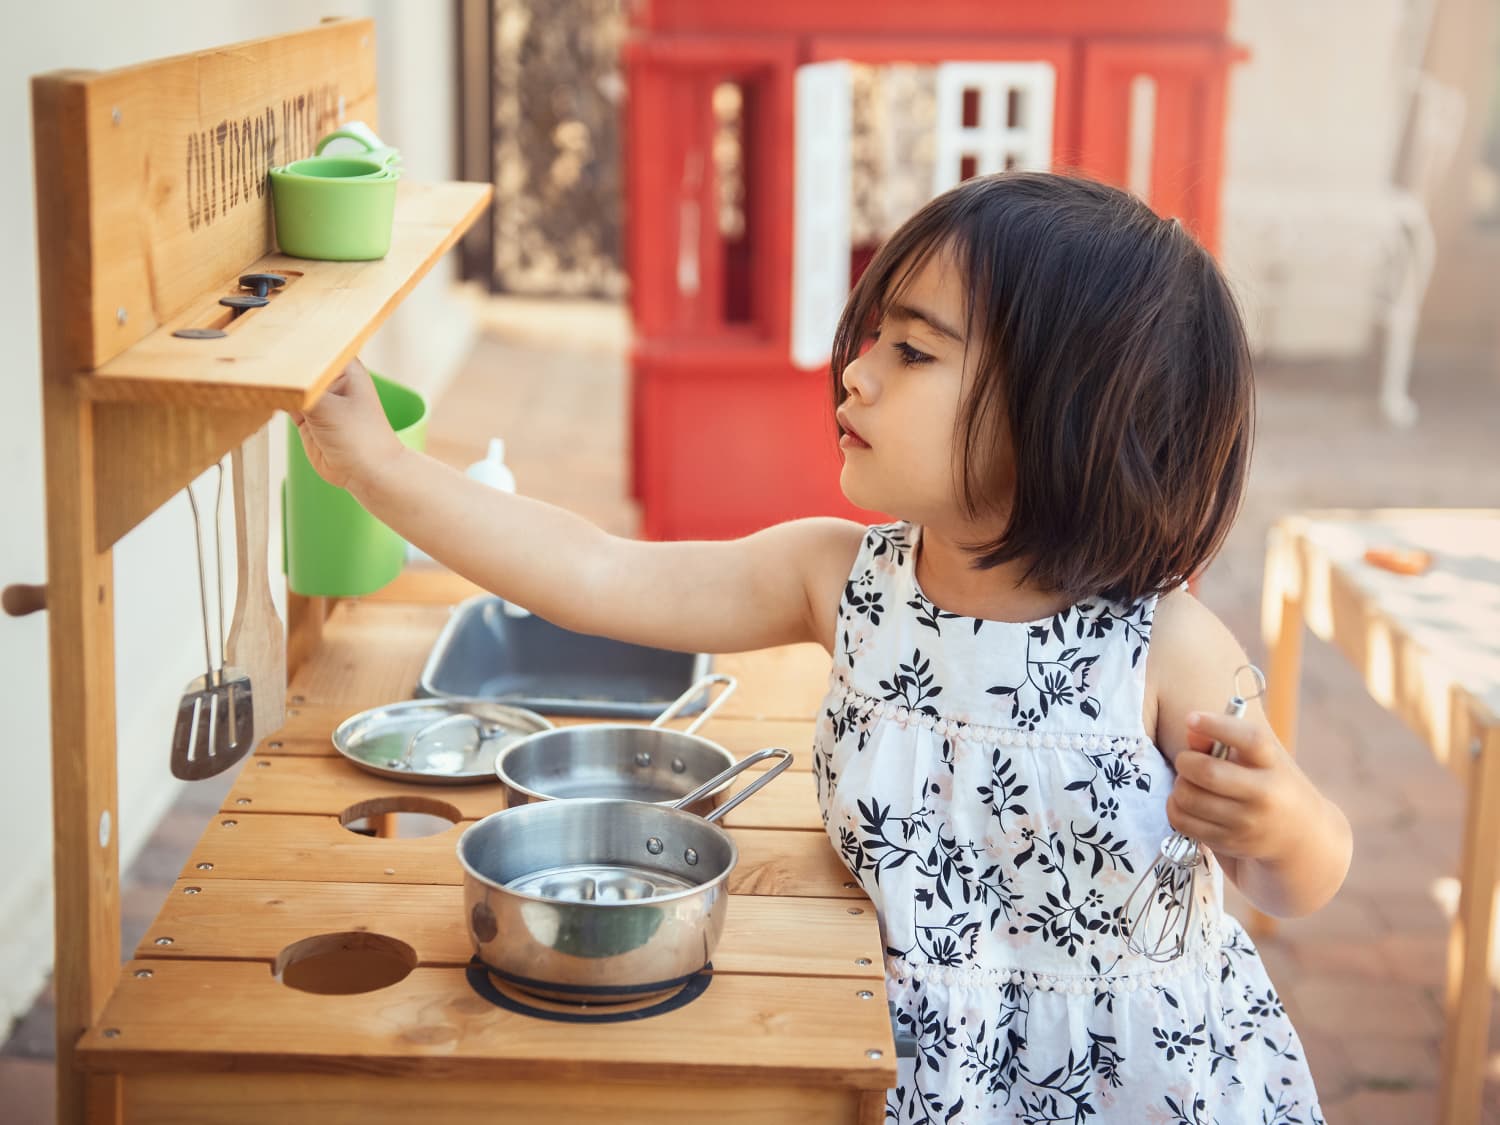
x=437 y=742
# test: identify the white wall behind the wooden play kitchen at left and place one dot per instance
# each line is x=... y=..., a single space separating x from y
x=158 y=635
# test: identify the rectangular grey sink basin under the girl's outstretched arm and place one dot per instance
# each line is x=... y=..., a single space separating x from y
x=527 y=662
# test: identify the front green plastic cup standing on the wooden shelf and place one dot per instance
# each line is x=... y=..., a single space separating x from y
x=335 y=208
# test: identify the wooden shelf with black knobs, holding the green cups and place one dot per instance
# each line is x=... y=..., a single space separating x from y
x=284 y=355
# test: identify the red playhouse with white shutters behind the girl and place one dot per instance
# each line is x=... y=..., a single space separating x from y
x=770 y=146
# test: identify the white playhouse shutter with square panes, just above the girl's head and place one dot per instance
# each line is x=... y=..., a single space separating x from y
x=1013 y=127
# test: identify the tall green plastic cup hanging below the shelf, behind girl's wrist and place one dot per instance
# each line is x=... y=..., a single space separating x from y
x=334 y=547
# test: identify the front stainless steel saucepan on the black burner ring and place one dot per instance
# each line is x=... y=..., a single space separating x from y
x=601 y=901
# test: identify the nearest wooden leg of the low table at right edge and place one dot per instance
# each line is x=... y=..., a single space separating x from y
x=1466 y=1037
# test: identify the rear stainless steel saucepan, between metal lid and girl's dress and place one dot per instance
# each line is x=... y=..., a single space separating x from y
x=623 y=761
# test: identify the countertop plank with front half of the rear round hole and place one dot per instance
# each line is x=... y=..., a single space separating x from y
x=317 y=850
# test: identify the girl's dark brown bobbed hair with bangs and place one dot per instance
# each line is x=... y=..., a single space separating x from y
x=1111 y=353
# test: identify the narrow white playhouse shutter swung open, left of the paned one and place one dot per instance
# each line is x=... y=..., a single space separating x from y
x=821 y=211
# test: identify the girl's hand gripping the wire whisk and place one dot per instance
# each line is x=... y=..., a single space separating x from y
x=1249 y=805
